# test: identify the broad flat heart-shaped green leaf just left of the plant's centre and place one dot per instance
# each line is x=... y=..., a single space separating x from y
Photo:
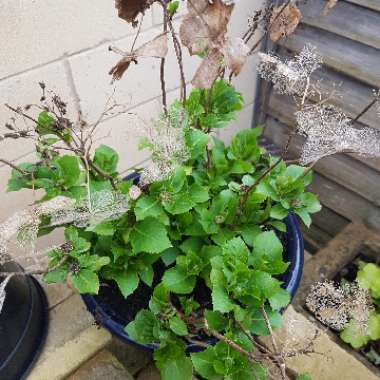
x=149 y=235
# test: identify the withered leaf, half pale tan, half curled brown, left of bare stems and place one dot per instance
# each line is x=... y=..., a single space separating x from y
x=156 y=48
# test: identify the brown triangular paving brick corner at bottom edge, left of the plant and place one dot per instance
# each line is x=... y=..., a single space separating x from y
x=102 y=366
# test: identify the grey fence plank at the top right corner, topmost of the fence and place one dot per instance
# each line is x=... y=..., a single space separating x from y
x=345 y=19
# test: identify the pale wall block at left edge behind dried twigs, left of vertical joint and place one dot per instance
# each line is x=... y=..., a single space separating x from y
x=24 y=89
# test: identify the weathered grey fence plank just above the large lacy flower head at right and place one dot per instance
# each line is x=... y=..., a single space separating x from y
x=330 y=81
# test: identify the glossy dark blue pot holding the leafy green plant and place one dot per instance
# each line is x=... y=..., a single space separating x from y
x=294 y=253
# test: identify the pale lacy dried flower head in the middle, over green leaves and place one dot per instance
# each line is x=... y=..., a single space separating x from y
x=166 y=140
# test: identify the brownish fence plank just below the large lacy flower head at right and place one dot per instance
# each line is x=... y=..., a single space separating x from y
x=339 y=168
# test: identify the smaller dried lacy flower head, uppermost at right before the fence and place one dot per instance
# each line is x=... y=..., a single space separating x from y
x=290 y=77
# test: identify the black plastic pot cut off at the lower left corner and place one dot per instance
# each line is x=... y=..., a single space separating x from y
x=23 y=325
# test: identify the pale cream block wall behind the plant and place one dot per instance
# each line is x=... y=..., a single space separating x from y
x=65 y=44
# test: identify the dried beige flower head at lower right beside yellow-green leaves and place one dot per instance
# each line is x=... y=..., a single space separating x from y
x=335 y=305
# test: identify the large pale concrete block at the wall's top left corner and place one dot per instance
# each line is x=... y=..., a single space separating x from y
x=36 y=32
